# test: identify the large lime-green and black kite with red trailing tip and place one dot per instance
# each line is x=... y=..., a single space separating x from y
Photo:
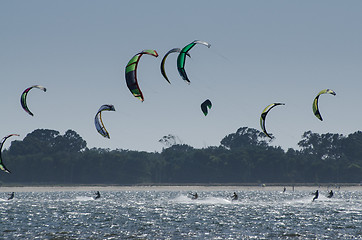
x=131 y=73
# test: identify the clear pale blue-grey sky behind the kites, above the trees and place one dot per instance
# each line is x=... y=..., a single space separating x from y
x=261 y=52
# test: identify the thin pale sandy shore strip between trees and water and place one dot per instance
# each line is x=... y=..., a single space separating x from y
x=199 y=188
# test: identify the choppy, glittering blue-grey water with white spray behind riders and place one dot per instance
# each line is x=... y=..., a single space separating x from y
x=160 y=214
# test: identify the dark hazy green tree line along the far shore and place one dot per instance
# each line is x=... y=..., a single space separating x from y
x=47 y=157
